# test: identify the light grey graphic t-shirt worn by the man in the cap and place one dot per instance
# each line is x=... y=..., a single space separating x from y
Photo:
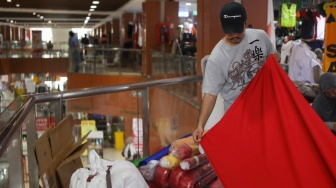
x=231 y=68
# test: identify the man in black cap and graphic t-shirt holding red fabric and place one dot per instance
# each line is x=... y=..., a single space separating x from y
x=233 y=62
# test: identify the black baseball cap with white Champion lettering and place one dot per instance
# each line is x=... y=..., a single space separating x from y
x=233 y=17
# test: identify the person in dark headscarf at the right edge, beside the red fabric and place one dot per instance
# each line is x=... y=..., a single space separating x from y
x=324 y=103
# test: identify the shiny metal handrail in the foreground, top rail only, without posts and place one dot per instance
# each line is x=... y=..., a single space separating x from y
x=19 y=116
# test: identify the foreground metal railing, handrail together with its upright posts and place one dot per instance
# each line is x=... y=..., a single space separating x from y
x=11 y=141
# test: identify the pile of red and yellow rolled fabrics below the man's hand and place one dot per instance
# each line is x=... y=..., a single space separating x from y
x=184 y=167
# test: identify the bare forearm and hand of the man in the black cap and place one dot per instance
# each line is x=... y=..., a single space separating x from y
x=207 y=106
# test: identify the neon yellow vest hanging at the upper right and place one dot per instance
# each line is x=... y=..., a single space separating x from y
x=288 y=15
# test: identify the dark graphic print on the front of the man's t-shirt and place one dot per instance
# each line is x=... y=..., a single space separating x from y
x=242 y=72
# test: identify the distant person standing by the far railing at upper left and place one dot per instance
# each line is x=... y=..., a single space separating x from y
x=74 y=52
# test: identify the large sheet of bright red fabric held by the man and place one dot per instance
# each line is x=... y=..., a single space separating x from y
x=271 y=137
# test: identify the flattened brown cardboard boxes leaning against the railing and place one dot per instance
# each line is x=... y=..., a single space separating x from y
x=57 y=155
